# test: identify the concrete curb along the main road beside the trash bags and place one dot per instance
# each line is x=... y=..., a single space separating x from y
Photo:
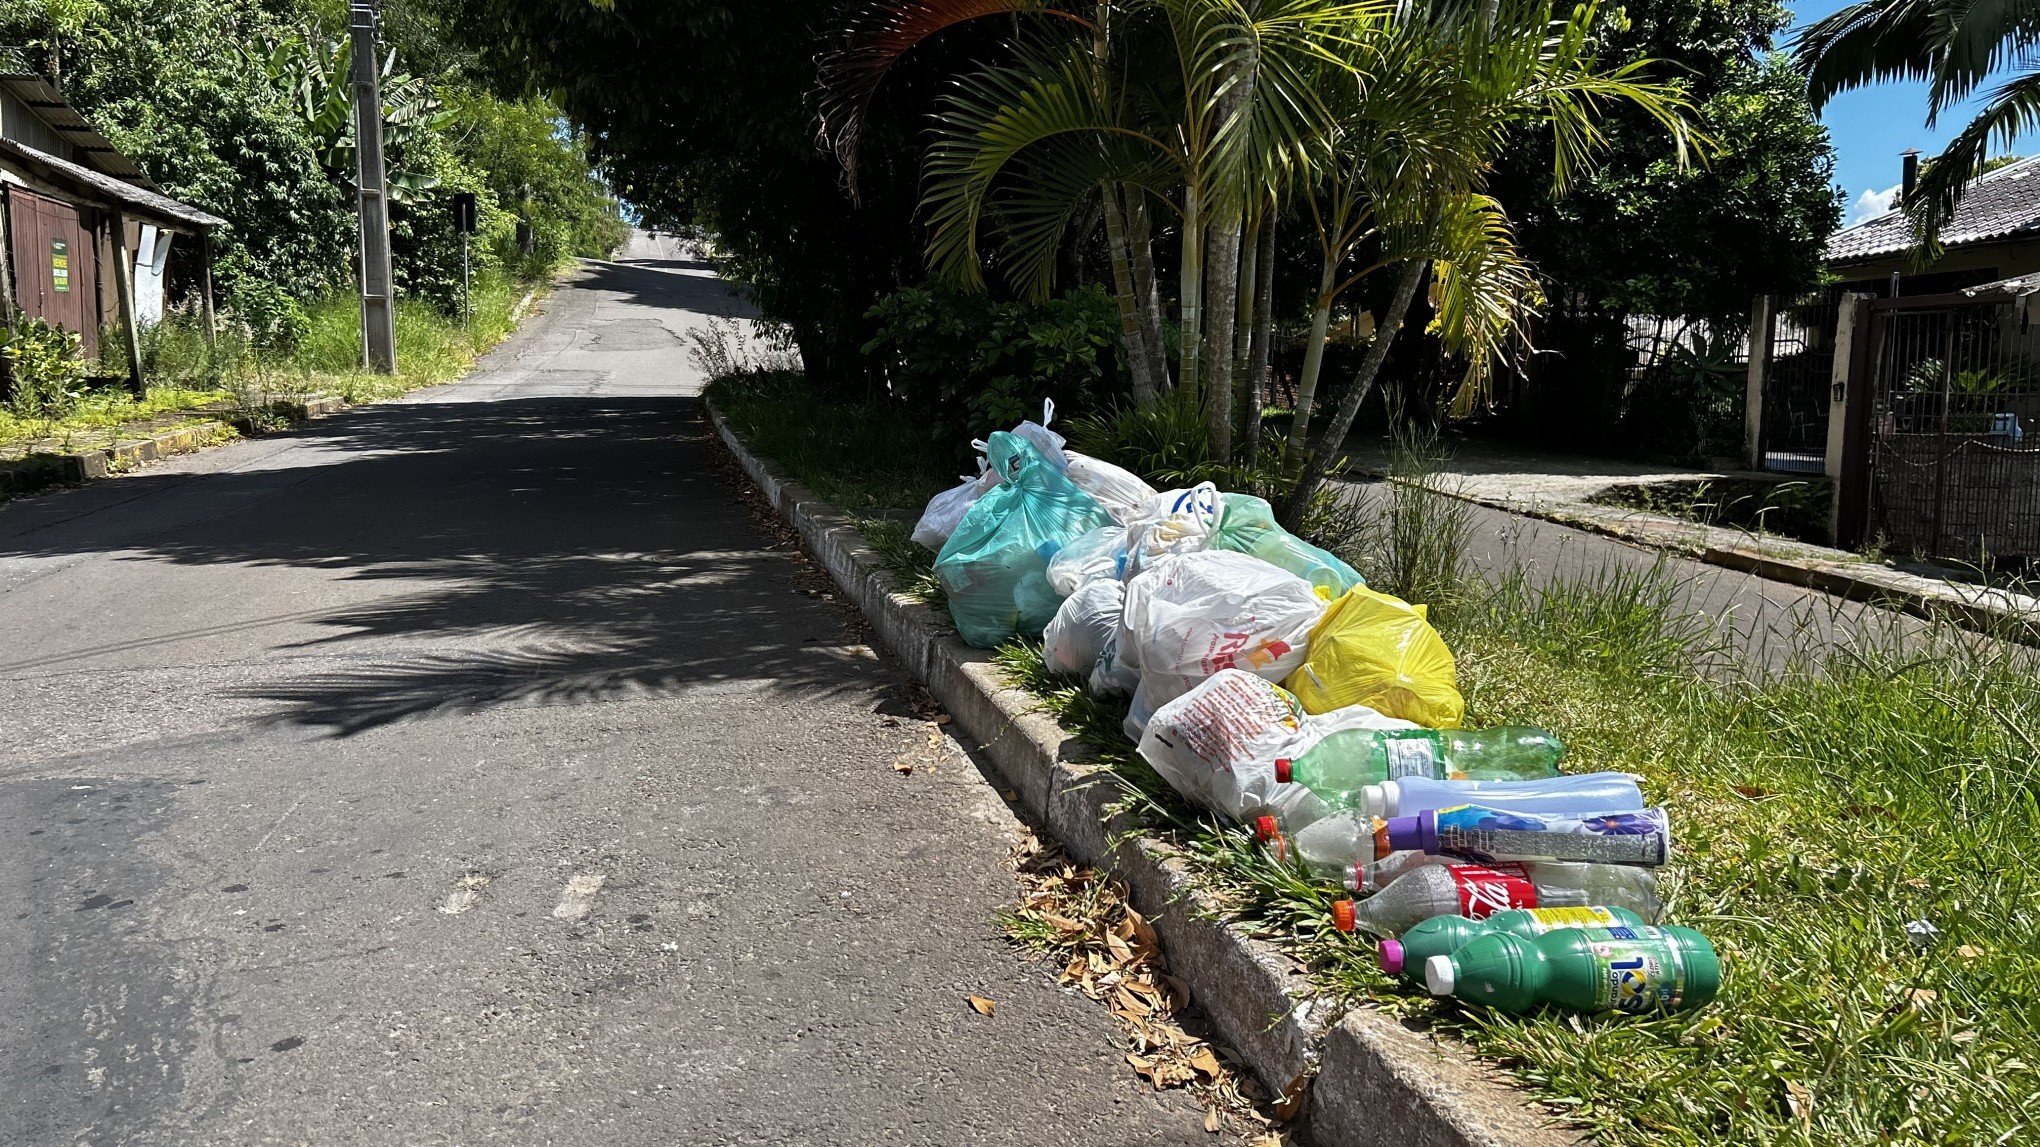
x=1372 y=1081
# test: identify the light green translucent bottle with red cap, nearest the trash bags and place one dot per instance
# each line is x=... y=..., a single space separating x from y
x=1351 y=760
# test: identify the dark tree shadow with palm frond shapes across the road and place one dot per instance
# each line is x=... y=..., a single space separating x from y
x=527 y=552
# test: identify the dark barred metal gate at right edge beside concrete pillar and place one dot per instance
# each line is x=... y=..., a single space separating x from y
x=1955 y=426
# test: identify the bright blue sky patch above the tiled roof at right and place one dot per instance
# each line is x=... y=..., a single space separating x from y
x=1872 y=126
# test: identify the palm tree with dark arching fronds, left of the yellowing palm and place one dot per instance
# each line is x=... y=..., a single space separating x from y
x=1194 y=107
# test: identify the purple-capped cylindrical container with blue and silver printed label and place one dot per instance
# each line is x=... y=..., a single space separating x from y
x=1490 y=836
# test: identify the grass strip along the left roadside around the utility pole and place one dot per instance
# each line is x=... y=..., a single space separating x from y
x=185 y=375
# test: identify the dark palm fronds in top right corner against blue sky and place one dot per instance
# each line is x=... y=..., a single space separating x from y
x=1955 y=46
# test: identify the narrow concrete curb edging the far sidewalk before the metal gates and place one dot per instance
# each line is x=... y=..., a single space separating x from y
x=1996 y=613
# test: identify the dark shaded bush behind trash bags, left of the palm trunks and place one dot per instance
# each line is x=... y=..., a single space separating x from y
x=978 y=364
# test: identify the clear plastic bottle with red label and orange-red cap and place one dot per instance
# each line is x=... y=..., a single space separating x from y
x=1482 y=891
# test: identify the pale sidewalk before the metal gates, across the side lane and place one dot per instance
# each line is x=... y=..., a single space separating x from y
x=1564 y=489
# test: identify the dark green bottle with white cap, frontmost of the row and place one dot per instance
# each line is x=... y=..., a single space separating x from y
x=1584 y=970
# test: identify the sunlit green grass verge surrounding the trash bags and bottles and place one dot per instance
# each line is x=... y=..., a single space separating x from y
x=1819 y=811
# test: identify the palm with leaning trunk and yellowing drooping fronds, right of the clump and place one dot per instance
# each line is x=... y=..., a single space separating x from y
x=1439 y=93
